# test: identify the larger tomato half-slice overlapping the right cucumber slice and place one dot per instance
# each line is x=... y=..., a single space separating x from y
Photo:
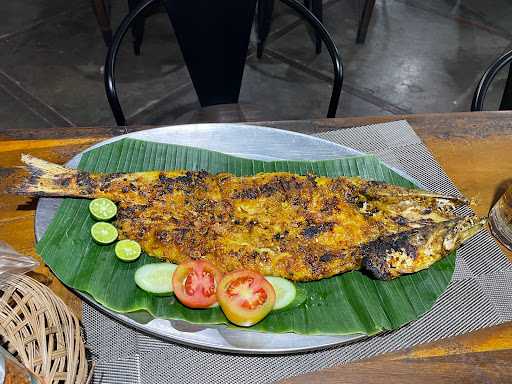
x=245 y=297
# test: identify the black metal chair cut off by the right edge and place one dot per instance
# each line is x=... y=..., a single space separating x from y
x=485 y=82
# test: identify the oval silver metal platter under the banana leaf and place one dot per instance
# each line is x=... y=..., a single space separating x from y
x=254 y=142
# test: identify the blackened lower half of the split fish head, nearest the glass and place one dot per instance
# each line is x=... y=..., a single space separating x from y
x=411 y=251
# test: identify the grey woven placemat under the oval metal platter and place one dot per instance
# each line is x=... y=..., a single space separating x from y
x=479 y=296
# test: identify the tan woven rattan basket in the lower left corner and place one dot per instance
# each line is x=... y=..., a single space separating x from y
x=42 y=330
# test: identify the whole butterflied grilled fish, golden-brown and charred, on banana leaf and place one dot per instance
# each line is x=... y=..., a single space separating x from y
x=301 y=228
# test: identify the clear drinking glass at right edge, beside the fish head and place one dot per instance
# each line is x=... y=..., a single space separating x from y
x=500 y=219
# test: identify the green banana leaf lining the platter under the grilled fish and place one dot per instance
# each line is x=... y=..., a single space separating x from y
x=344 y=304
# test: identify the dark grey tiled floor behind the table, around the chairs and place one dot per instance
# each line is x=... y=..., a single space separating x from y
x=418 y=57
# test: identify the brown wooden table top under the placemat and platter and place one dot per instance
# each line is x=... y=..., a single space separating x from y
x=475 y=149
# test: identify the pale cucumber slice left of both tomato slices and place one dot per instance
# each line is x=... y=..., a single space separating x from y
x=156 y=278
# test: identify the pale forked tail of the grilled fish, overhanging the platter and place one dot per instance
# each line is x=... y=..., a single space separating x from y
x=49 y=179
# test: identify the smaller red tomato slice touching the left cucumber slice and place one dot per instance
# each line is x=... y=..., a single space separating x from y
x=195 y=283
